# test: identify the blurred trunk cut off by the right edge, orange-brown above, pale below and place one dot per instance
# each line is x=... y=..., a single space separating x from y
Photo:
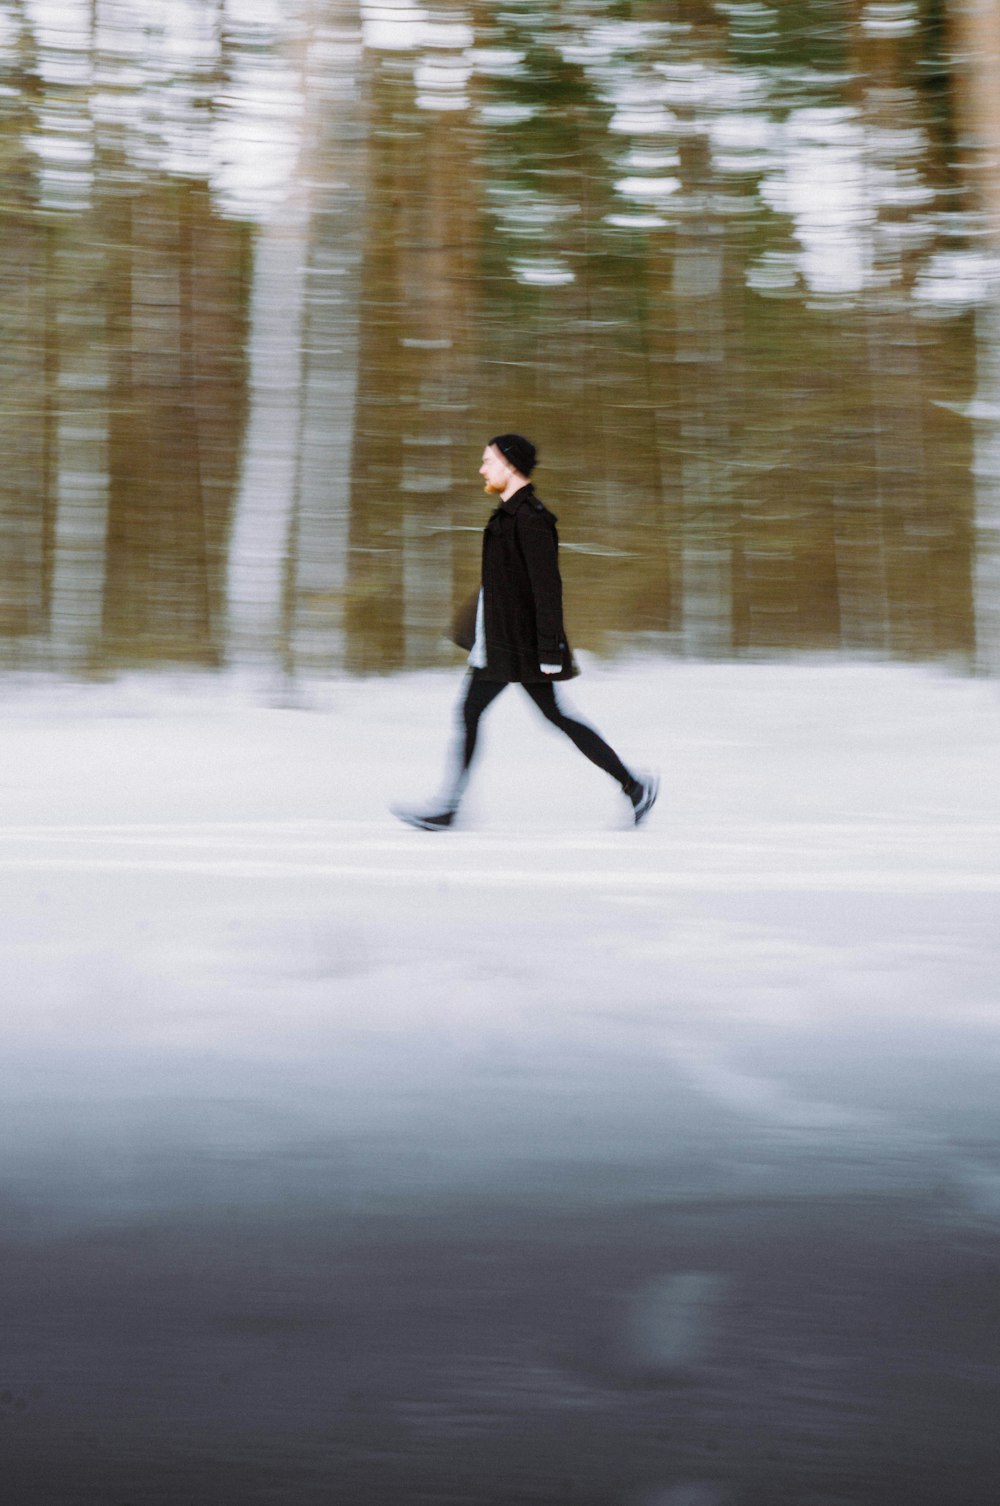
x=977 y=34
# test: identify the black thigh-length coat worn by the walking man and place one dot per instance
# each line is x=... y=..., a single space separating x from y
x=523 y=594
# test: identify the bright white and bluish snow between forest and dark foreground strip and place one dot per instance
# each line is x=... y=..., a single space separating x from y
x=221 y=948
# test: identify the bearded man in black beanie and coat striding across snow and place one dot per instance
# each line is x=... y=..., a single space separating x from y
x=519 y=636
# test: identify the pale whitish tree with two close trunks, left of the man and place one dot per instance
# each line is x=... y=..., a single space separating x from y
x=287 y=535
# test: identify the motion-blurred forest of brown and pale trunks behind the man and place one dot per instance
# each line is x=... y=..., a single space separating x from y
x=278 y=269
